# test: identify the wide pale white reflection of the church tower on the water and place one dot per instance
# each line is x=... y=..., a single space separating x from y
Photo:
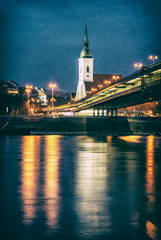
x=92 y=185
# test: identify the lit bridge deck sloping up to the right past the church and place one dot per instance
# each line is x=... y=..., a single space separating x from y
x=139 y=87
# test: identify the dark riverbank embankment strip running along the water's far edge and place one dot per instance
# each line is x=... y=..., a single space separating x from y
x=25 y=125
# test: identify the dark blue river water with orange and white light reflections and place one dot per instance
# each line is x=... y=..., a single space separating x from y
x=80 y=187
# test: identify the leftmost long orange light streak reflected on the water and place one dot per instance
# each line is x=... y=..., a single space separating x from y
x=29 y=176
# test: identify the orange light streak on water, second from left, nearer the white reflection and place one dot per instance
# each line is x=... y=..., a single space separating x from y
x=51 y=187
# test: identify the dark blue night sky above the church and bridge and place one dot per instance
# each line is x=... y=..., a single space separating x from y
x=41 y=40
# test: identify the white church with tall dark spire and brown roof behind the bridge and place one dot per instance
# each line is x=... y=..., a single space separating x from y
x=87 y=80
